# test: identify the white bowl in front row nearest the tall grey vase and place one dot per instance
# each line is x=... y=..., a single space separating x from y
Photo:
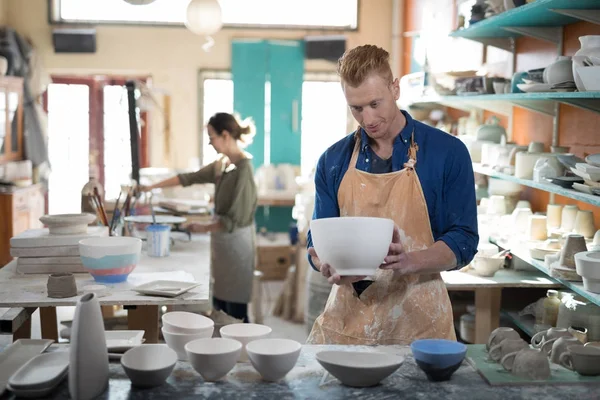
x=149 y=365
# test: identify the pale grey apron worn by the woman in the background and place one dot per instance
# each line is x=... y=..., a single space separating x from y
x=233 y=258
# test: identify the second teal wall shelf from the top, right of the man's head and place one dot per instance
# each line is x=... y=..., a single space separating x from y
x=544 y=103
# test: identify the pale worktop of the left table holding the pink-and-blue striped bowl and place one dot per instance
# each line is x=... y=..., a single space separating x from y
x=188 y=261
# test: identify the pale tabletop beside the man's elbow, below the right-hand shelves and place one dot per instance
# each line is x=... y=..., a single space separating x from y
x=505 y=278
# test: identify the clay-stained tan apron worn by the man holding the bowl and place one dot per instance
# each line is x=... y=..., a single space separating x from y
x=394 y=309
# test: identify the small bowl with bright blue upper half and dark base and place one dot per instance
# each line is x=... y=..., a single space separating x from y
x=438 y=358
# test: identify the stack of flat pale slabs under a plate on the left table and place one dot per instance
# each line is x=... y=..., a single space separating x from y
x=40 y=252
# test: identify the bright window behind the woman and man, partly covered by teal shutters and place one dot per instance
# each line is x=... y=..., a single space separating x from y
x=319 y=92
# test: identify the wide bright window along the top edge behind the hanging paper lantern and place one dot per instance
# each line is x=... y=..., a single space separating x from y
x=331 y=14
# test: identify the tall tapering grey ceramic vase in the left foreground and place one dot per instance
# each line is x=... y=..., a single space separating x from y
x=88 y=369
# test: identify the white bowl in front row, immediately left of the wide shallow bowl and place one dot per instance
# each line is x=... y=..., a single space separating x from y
x=273 y=358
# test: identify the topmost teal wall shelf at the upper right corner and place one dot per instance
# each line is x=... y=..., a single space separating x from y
x=541 y=19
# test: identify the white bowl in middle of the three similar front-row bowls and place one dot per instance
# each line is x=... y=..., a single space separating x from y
x=213 y=358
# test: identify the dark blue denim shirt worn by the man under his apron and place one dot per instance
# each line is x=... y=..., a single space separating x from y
x=444 y=168
